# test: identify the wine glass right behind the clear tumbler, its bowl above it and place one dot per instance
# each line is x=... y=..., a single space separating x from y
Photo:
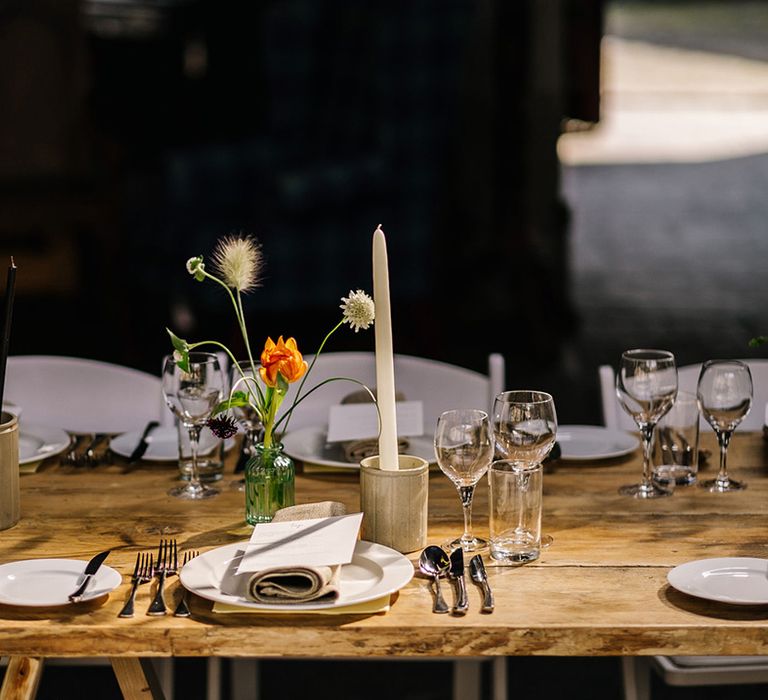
x=525 y=429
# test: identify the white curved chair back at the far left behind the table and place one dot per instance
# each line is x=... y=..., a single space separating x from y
x=83 y=396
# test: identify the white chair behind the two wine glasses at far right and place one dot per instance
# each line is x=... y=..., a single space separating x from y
x=689 y=670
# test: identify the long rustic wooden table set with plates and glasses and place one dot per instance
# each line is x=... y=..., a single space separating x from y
x=600 y=589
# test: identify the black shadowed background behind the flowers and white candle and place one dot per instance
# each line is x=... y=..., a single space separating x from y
x=134 y=134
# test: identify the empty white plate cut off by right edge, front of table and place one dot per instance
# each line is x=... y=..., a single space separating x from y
x=737 y=580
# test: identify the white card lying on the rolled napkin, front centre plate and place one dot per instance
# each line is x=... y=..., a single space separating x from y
x=314 y=542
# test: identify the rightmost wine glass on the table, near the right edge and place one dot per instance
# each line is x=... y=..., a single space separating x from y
x=725 y=397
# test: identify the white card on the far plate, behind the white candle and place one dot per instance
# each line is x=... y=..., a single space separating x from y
x=358 y=421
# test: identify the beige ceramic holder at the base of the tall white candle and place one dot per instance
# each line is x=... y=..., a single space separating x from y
x=394 y=503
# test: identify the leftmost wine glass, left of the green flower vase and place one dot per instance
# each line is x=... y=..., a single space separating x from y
x=192 y=396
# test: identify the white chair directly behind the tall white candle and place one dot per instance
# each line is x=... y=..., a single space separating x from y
x=440 y=387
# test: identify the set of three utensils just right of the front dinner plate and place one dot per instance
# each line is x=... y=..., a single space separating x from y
x=436 y=563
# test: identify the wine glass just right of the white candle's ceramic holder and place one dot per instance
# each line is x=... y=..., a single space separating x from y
x=464 y=450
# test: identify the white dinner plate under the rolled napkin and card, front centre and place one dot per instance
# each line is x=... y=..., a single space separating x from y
x=375 y=571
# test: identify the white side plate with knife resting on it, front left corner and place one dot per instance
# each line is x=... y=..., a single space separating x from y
x=44 y=582
